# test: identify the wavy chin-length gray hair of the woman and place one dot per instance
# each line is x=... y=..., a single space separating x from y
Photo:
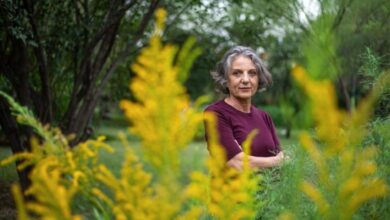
x=220 y=75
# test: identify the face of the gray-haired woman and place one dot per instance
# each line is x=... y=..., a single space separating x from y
x=243 y=79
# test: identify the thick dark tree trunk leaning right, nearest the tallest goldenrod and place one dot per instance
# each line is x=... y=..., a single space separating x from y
x=90 y=82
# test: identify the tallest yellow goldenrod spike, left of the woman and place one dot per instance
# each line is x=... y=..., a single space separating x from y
x=162 y=110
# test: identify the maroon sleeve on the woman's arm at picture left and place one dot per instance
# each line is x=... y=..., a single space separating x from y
x=225 y=133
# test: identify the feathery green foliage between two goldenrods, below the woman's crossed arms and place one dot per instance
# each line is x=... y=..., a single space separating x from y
x=279 y=192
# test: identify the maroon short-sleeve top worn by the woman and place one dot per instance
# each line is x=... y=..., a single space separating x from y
x=233 y=127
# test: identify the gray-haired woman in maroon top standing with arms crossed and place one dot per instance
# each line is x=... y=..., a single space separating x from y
x=240 y=74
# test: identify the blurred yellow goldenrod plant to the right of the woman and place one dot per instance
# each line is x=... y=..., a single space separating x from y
x=350 y=181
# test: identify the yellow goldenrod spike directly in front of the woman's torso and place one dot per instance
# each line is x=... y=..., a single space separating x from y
x=229 y=194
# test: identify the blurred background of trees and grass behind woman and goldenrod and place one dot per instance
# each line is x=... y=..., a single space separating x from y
x=68 y=61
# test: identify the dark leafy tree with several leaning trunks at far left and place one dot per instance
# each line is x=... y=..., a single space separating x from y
x=57 y=57
